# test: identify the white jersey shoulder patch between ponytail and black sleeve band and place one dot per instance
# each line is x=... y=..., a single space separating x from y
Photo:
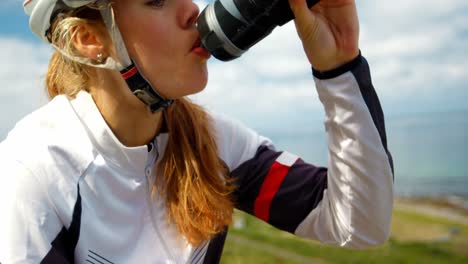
x=236 y=142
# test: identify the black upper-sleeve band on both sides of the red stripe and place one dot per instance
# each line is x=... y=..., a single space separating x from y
x=299 y=193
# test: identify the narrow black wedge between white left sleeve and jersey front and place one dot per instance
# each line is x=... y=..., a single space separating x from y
x=63 y=246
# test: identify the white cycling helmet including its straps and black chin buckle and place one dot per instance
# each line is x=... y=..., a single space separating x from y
x=42 y=12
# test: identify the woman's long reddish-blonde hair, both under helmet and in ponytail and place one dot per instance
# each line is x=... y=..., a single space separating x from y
x=194 y=186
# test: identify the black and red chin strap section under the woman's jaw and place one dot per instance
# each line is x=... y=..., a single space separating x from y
x=141 y=88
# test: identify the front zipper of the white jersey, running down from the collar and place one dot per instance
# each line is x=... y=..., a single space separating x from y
x=153 y=156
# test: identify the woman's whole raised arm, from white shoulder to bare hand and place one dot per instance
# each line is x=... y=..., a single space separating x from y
x=350 y=202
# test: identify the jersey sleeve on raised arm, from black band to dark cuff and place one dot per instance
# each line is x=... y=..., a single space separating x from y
x=347 y=204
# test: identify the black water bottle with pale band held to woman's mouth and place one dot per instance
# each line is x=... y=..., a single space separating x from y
x=228 y=28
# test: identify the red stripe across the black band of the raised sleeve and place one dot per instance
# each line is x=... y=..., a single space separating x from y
x=269 y=189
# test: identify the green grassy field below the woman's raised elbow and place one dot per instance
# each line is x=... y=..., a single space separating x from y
x=415 y=238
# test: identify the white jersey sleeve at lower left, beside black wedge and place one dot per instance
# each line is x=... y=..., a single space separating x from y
x=29 y=223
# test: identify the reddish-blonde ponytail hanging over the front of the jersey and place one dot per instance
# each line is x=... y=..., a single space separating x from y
x=195 y=186
